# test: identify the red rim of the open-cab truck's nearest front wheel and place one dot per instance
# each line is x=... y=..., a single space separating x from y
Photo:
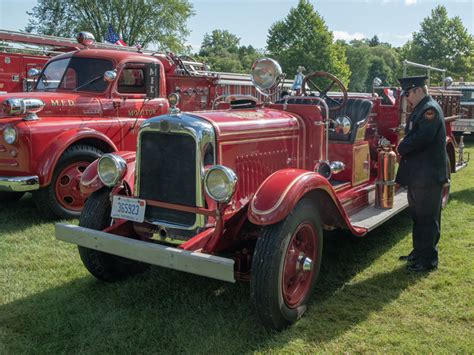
x=296 y=281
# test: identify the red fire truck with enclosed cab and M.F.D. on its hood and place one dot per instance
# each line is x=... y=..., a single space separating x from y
x=88 y=102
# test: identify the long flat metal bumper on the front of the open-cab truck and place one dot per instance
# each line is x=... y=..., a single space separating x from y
x=183 y=260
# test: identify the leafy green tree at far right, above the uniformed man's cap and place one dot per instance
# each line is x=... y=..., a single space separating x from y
x=443 y=42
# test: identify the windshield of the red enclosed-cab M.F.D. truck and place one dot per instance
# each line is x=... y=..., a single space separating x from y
x=83 y=74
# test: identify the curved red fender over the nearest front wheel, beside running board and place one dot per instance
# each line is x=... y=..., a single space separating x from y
x=281 y=191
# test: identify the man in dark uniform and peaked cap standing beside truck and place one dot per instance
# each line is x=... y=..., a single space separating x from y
x=423 y=169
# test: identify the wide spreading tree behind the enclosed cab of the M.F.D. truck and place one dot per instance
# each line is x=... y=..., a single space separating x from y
x=161 y=23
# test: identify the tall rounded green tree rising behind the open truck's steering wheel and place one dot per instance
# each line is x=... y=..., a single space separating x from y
x=302 y=38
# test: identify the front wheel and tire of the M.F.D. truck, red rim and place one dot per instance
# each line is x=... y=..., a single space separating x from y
x=62 y=198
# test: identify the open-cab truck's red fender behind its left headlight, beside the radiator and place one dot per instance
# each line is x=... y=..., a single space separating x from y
x=90 y=181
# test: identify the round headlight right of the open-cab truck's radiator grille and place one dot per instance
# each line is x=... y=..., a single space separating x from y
x=220 y=183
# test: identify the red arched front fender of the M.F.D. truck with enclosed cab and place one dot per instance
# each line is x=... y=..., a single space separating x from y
x=51 y=155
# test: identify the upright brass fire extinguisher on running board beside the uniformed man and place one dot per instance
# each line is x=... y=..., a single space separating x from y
x=385 y=183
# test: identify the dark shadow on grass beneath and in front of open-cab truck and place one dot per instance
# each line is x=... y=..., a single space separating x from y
x=171 y=312
